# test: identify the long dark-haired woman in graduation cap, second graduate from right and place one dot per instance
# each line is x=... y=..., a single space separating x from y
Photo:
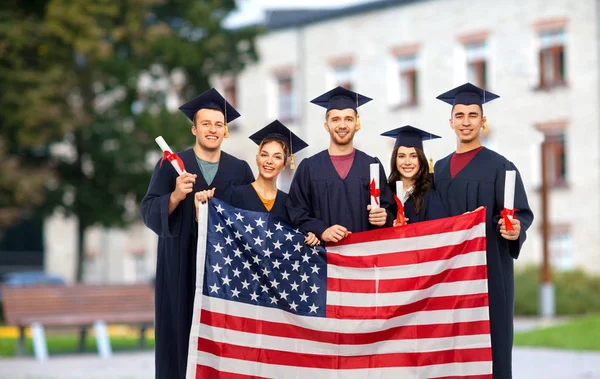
x=408 y=164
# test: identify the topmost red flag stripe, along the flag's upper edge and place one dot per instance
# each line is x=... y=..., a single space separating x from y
x=426 y=228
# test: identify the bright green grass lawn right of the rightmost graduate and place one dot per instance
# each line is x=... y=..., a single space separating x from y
x=579 y=334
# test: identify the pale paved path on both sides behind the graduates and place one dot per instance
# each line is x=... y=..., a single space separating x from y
x=527 y=364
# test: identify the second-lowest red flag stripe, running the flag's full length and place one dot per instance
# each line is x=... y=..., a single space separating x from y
x=279 y=357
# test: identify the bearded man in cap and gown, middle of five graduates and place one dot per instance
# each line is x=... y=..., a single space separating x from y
x=330 y=193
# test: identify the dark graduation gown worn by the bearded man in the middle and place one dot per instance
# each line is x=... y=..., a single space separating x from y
x=319 y=198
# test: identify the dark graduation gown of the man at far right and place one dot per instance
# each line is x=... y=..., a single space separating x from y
x=481 y=183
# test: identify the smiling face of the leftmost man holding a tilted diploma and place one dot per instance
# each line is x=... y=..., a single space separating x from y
x=209 y=129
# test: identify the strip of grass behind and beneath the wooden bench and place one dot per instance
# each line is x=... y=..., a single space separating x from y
x=68 y=342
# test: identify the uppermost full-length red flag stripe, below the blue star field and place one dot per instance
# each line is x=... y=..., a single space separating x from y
x=408 y=332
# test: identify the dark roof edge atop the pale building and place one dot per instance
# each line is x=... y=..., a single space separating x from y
x=282 y=19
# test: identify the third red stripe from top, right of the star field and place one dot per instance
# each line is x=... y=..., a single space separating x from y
x=407 y=284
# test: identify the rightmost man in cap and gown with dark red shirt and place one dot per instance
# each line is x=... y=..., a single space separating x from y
x=474 y=176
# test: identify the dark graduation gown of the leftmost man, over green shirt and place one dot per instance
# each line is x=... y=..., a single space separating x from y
x=176 y=257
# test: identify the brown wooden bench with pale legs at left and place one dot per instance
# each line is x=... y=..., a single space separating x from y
x=80 y=306
